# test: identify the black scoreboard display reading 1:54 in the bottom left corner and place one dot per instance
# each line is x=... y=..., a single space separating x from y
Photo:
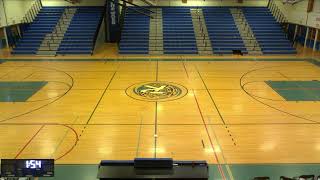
x=27 y=168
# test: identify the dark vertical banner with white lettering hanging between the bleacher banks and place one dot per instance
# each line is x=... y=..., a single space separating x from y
x=112 y=20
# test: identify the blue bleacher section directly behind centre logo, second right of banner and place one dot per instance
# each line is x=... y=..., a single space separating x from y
x=178 y=32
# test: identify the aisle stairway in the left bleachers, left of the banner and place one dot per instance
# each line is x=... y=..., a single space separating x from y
x=51 y=42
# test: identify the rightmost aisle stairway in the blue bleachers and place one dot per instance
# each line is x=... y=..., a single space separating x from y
x=246 y=32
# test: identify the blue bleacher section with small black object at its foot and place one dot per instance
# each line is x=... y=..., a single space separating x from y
x=222 y=30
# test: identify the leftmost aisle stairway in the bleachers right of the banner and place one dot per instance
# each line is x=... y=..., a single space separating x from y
x=156 y=32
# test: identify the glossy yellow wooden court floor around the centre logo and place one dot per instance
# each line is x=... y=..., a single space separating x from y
x=230 y=115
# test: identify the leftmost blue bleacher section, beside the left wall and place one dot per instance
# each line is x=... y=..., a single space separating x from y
x=43 y=24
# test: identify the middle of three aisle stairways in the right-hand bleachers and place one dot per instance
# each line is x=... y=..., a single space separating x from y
x=201 y=33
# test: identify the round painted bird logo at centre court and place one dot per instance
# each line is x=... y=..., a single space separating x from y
x=156 y=91
